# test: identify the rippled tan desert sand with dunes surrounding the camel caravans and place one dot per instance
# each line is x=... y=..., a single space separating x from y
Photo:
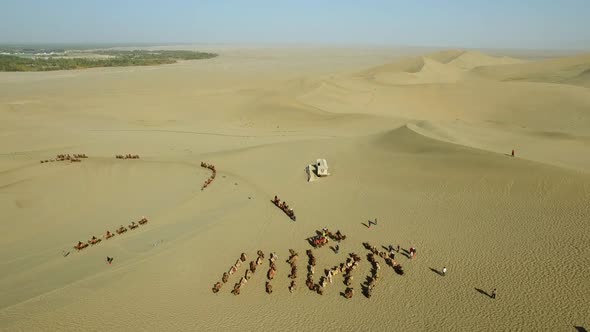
x=419 y=139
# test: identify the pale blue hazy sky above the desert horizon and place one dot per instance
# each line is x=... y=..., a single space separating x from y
x=563 y=24
